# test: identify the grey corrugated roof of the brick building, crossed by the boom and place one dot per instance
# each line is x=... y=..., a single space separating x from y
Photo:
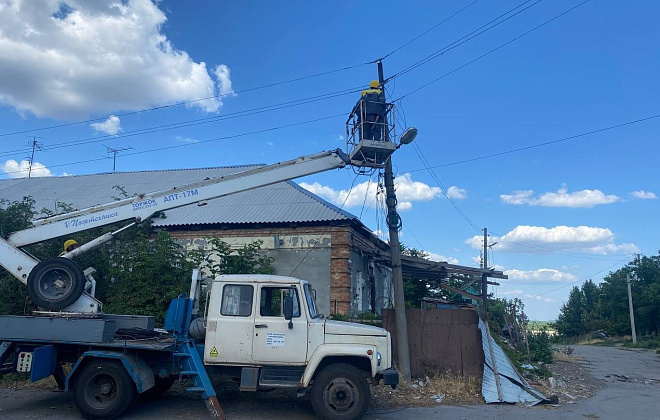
x=284 y=202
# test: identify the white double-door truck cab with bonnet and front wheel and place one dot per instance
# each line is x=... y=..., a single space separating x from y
x=268 y=328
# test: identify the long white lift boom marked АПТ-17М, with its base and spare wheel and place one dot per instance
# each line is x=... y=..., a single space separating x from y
x=59 y=283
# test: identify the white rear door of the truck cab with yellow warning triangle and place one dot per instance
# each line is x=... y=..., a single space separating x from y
x=230 y=326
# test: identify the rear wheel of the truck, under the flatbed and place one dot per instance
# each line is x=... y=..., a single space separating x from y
x=103 y=390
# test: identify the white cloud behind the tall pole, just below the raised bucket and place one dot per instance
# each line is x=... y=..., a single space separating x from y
x=407 y=191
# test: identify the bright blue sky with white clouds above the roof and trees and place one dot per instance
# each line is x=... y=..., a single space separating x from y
x=501 y=115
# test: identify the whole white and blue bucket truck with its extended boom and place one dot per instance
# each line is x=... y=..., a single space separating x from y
x=263 y=331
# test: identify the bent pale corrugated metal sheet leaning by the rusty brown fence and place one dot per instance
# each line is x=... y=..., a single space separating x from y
x=508 y=386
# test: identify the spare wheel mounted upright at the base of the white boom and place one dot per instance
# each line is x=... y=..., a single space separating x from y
x=56 y=283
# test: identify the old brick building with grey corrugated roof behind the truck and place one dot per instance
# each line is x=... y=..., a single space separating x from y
x=308 y=237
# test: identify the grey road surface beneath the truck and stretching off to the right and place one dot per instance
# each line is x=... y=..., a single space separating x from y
x=629 y=388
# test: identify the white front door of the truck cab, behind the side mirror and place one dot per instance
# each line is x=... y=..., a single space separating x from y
x=273 y=341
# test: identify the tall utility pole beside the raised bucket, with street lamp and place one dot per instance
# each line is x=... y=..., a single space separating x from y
x=393 y=223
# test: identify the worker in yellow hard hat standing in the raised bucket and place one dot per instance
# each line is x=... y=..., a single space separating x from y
x=372 y=108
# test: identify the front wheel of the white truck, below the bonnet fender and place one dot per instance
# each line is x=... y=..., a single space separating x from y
x=340 y=391
